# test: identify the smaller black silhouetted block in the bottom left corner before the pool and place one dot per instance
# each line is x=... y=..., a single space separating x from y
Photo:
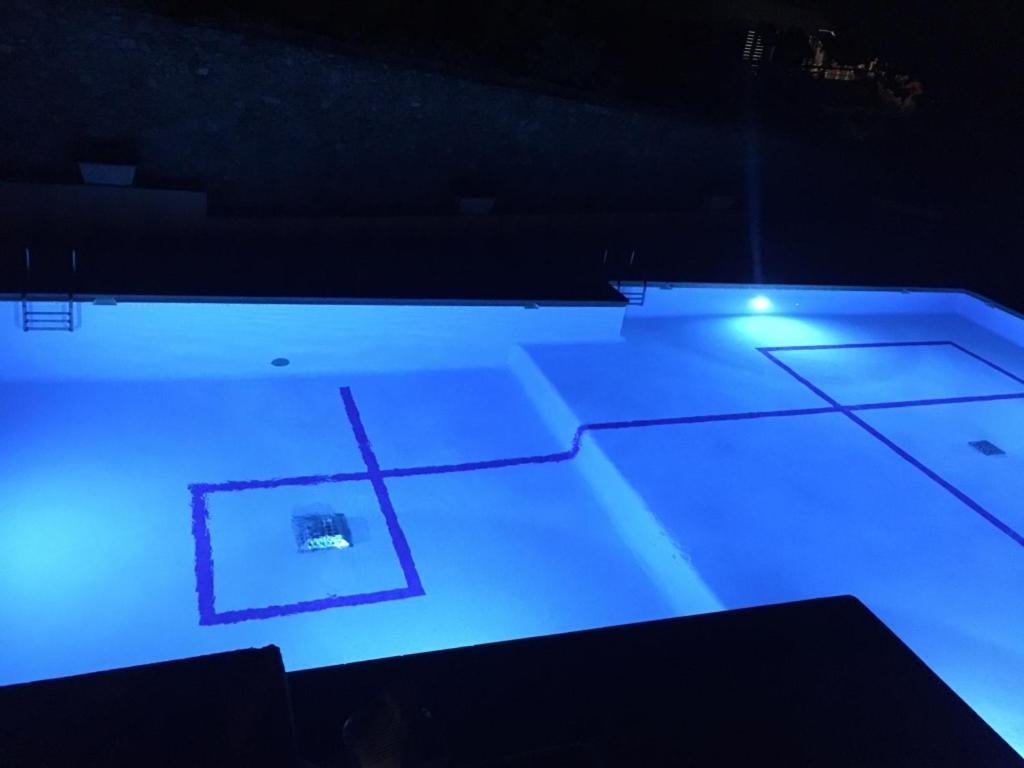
x=222 y=710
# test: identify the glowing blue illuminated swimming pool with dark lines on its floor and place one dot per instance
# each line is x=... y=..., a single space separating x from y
x=354 y=482
